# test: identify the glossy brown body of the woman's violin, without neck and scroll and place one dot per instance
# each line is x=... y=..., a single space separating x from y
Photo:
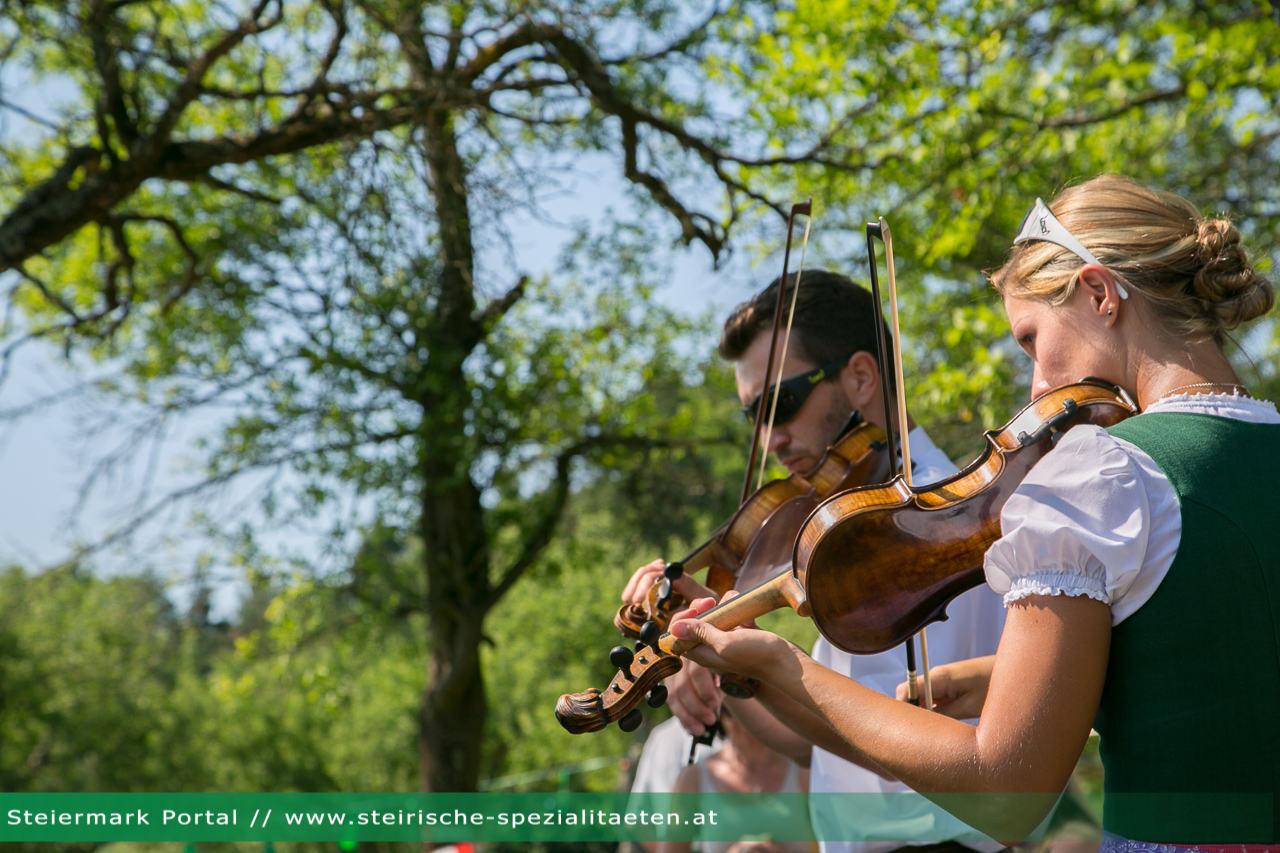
x=880 y=564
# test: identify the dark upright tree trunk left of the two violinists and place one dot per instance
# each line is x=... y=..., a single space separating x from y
x=458 y=550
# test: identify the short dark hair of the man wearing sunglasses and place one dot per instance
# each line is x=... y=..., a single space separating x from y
x=835 y=318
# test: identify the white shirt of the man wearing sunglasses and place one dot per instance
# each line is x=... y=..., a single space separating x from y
x=889 y=810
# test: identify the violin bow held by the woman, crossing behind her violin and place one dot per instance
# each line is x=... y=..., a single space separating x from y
x=881 y=230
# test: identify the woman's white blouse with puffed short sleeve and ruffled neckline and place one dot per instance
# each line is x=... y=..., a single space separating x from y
x=1099 y=518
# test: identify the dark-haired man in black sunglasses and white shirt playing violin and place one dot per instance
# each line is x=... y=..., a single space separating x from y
x=830 y=384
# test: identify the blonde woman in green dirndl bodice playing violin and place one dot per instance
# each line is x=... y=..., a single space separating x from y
x=1140 y=564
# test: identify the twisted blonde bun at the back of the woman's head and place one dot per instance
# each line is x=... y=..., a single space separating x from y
x=1226 y=279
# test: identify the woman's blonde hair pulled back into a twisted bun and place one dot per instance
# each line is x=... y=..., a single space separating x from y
x=1192 y=270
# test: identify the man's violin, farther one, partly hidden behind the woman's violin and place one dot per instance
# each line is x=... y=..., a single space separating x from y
x=760 y=541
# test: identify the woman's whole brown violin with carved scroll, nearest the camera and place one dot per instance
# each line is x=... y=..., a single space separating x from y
x=875 y=565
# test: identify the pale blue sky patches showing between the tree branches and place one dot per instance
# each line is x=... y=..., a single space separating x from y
x=45 y=458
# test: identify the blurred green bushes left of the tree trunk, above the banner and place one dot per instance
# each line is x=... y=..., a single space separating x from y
x=108 y=688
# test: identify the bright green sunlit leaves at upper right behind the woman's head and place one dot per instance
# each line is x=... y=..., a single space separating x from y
x=950 y=118
